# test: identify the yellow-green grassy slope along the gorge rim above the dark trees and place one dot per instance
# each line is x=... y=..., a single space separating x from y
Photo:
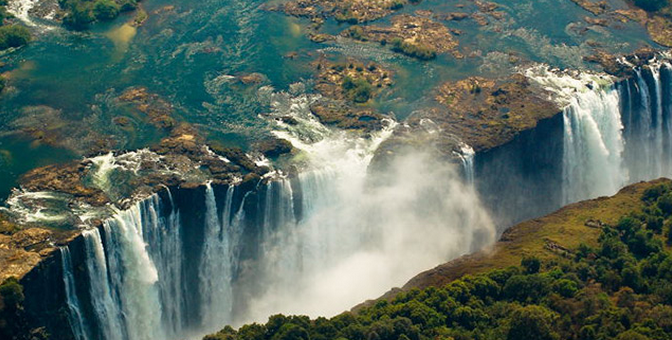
x=565 y=227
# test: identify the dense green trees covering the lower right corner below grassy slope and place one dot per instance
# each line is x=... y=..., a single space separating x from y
x=619 y=287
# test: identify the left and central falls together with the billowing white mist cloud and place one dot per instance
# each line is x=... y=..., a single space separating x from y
x=185 y=262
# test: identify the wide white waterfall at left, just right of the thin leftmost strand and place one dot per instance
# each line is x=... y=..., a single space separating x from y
x=122 y=277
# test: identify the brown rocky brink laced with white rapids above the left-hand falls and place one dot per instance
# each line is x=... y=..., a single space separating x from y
x=181 y=160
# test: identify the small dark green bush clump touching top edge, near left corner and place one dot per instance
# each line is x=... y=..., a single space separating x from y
x=82 y=13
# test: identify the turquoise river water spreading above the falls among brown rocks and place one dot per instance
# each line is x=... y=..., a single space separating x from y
x=66 y=82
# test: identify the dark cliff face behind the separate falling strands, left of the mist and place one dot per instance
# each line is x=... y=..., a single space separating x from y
x=176 y=224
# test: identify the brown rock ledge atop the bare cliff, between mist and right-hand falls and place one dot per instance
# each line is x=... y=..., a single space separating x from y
x=474 y=112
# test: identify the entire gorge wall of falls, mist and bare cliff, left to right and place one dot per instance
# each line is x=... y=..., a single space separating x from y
x=184 y=261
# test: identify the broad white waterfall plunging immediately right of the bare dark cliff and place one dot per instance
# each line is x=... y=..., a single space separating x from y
x=593 y=142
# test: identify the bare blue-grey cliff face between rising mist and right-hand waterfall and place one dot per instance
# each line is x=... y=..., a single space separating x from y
x=522 y=179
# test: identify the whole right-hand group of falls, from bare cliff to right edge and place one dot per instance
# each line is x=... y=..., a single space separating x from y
x=616 y=133
